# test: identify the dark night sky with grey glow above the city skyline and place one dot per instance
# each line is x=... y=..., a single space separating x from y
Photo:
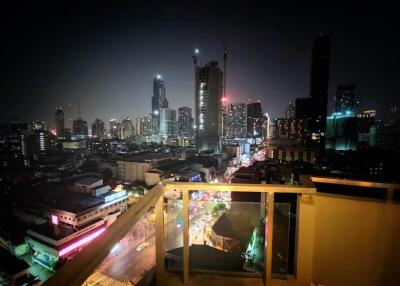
x=105 y=54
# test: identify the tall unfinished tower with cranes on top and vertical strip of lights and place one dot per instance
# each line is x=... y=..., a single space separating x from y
x=208 y=97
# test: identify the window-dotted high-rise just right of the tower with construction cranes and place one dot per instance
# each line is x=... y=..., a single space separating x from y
x=236 y=126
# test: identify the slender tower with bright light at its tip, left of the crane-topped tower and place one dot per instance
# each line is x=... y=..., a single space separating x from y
x=158 y=101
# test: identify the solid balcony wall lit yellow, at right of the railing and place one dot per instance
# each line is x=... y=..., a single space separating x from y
x=343 y=241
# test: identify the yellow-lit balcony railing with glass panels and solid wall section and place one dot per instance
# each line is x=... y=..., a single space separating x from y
x=186 y=235
